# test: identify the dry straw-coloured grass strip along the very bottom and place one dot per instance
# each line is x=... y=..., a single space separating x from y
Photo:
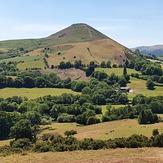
x=138 y=155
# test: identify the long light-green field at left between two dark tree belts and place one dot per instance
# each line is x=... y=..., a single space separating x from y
x=33 y=93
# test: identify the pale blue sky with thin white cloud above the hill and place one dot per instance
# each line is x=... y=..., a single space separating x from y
x=132 y=23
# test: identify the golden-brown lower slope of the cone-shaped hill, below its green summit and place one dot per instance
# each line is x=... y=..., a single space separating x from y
x=98 y=51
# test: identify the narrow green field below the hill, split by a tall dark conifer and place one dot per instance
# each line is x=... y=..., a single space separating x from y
x=117 y=71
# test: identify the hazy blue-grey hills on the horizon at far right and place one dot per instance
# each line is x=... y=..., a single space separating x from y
x=156 y=49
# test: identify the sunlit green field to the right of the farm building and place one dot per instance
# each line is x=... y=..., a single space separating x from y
x=139 y=87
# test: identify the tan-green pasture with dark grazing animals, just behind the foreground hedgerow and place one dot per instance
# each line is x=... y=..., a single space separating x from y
x=104 y=131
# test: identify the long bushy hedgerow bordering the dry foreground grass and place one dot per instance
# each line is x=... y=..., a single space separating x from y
x=50 y=142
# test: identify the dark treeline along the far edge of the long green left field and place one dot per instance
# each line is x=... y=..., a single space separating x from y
x=33 y=79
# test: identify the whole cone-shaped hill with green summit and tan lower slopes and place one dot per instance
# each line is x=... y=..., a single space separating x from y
x=78 y=41
